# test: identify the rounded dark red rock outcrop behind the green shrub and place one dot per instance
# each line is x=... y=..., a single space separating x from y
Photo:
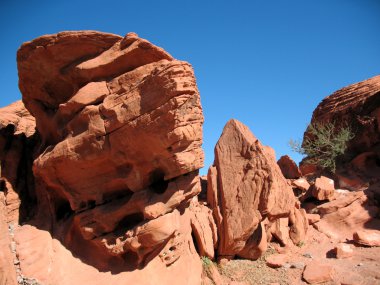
x=356 y=106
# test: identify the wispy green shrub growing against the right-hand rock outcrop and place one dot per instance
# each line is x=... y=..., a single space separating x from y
x=324 y=144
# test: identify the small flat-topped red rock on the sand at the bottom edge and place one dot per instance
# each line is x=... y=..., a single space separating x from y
x=316 y=272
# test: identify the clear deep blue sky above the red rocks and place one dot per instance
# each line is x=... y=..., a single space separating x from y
x=266 y=63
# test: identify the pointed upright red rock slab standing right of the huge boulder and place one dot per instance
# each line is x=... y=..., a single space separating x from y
x=245 y=186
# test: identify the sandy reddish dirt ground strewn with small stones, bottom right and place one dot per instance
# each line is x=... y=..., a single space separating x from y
x=362 y=268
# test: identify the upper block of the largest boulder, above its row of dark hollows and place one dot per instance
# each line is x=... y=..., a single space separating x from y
x=141 y=125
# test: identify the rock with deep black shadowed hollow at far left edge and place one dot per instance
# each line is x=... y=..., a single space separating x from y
x=17 y=147
